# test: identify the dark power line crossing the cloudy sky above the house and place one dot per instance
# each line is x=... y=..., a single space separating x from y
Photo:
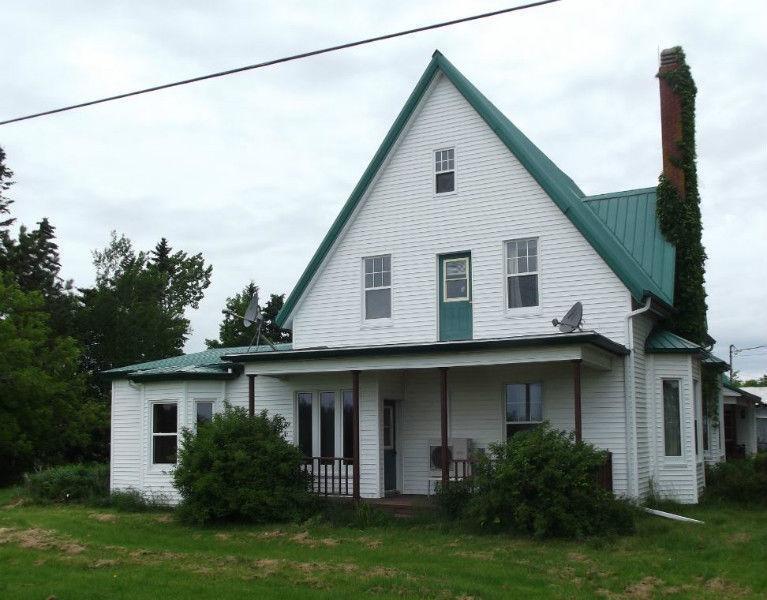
x=284 y=59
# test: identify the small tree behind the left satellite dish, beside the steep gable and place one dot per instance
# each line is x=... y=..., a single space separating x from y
x=232 y=331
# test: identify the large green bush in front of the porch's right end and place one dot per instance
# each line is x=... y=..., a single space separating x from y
x=542 y=483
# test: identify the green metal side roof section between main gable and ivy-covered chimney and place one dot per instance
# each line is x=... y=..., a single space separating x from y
x=630 y=216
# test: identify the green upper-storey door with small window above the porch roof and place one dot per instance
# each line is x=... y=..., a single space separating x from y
x=455 y=297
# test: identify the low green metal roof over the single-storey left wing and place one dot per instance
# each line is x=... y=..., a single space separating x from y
x=208 y=364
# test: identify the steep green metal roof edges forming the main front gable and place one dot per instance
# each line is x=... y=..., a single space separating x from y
x=560 y=188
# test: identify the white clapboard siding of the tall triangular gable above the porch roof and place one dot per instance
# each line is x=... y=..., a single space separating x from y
x=496 y=200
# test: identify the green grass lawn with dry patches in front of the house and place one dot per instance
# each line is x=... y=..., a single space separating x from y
x=80 y=552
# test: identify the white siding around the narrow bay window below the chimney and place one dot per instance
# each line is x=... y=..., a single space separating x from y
x=673 y=476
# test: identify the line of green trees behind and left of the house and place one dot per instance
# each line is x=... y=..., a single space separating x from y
x=56 y=337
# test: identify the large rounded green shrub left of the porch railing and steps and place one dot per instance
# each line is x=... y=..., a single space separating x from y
x=241 y=468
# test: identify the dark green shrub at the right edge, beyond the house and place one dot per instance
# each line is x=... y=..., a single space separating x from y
x=743 y=481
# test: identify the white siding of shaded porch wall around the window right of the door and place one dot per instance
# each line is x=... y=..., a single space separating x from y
x=476 y=411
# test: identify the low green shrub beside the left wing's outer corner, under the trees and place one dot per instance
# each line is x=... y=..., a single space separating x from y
x=69 y=483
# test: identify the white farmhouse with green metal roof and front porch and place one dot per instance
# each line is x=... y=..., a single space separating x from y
x=422 y=325
